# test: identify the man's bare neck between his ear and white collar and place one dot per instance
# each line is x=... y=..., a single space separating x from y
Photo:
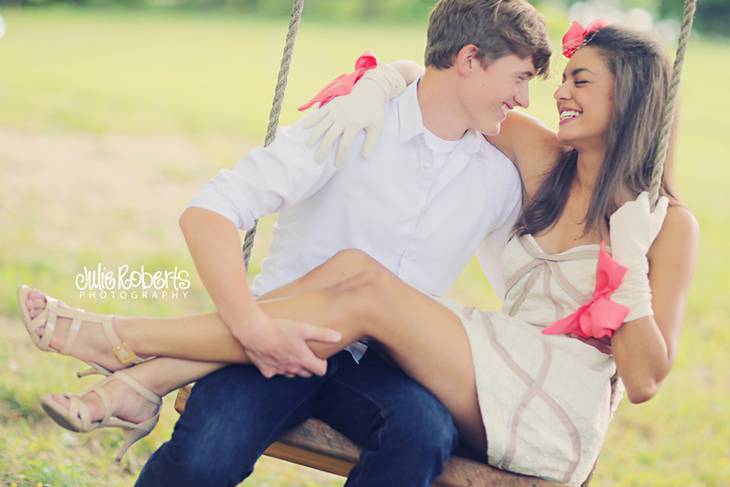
x=441 y=112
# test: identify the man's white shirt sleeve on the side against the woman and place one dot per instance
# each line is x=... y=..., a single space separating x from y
x=490 y=250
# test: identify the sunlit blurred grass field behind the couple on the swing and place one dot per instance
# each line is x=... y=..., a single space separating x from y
x=109 y=123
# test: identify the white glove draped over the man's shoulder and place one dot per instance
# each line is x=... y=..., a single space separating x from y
x=363 y=108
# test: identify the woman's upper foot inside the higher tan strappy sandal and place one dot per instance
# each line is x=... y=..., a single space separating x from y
x=91 y=343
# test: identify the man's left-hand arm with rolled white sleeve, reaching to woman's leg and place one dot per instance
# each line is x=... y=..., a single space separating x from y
x=265 y=181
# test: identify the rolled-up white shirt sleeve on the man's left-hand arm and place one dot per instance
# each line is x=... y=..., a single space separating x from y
x=267 y=179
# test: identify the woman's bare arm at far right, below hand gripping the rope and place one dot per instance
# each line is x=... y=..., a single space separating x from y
x=645 y=349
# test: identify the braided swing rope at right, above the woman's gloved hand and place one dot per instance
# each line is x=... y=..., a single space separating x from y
x=668 y=114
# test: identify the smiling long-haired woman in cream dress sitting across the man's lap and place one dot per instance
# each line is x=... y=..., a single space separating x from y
x=534 y=380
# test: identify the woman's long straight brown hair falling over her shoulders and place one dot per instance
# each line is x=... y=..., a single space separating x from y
x=641 y=83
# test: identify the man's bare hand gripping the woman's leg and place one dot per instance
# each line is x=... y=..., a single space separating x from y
x=278 y=346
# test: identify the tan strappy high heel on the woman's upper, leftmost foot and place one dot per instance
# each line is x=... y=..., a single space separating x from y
x=58 y=309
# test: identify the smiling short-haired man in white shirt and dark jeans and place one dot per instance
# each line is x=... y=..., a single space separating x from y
x=432 y=191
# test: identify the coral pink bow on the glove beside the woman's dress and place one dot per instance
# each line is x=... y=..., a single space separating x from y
x=600 y=317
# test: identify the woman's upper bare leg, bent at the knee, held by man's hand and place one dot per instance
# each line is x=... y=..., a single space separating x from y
x=417 y=331
